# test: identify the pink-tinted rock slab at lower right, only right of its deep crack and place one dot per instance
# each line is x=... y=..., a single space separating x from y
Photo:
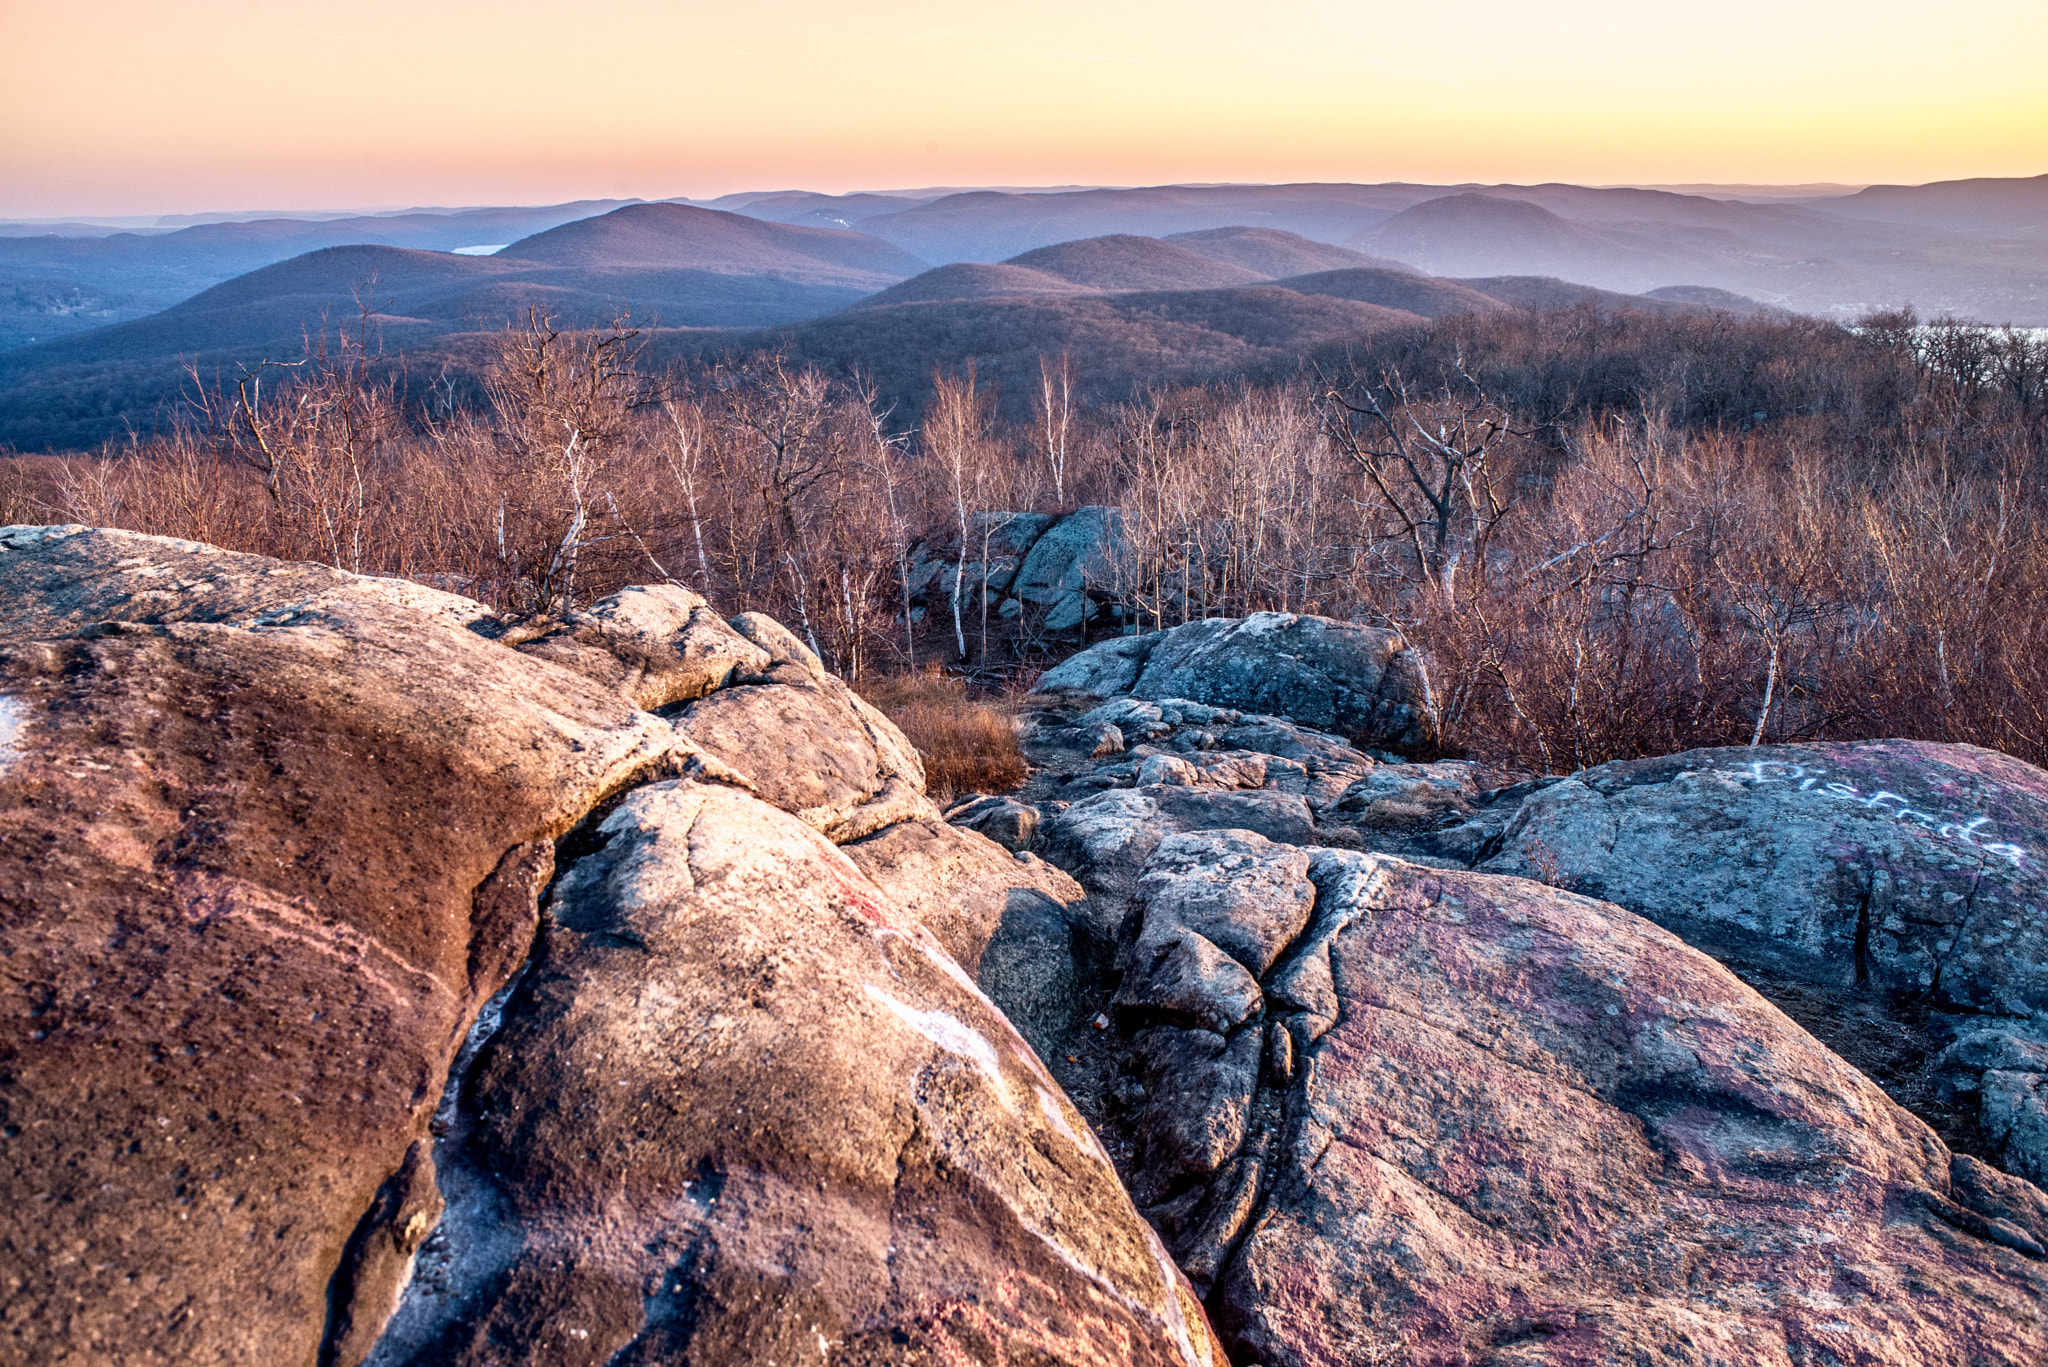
x=1545 y=1130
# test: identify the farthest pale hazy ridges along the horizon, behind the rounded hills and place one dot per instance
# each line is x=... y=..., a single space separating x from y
x=1977 y=249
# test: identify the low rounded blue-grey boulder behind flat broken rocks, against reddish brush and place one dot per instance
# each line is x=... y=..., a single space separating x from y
x=1332 y=675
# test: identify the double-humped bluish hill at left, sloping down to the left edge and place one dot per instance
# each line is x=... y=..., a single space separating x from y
x=746 y=274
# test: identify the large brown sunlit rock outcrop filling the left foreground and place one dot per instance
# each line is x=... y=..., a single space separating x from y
x=275 y=837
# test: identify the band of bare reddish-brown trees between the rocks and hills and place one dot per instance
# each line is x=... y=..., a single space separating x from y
x=1611 y=534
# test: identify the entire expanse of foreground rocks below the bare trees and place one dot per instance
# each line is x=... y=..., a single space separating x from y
x=398 y=985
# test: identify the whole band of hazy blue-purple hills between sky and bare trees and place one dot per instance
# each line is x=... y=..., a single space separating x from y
x=97 y=327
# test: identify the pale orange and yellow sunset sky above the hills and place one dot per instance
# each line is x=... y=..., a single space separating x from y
x=116 y=108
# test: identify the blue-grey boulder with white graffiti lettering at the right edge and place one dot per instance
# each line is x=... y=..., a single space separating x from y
x=1895 y=870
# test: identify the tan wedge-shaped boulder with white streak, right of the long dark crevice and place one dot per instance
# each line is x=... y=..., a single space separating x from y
x=742 y=1110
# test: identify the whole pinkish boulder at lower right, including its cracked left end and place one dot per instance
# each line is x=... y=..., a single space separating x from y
x=1398 y=1114
